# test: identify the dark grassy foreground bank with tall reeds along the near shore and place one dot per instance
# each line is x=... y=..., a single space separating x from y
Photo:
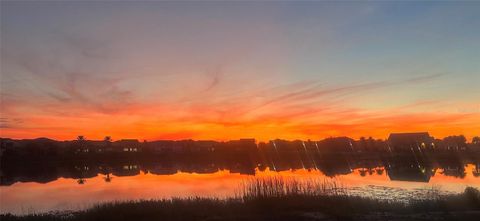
x=280 y=199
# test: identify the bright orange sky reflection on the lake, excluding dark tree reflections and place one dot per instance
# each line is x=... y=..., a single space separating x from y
x=65 y=193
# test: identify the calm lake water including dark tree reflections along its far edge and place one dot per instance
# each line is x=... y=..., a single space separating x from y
x=37 y=192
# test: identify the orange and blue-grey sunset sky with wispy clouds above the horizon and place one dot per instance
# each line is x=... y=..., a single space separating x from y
x=228 y=70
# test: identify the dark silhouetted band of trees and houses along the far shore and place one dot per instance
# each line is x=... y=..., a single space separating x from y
x=83 y=148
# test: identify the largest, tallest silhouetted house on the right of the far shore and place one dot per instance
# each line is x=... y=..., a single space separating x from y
x=400 y=142
